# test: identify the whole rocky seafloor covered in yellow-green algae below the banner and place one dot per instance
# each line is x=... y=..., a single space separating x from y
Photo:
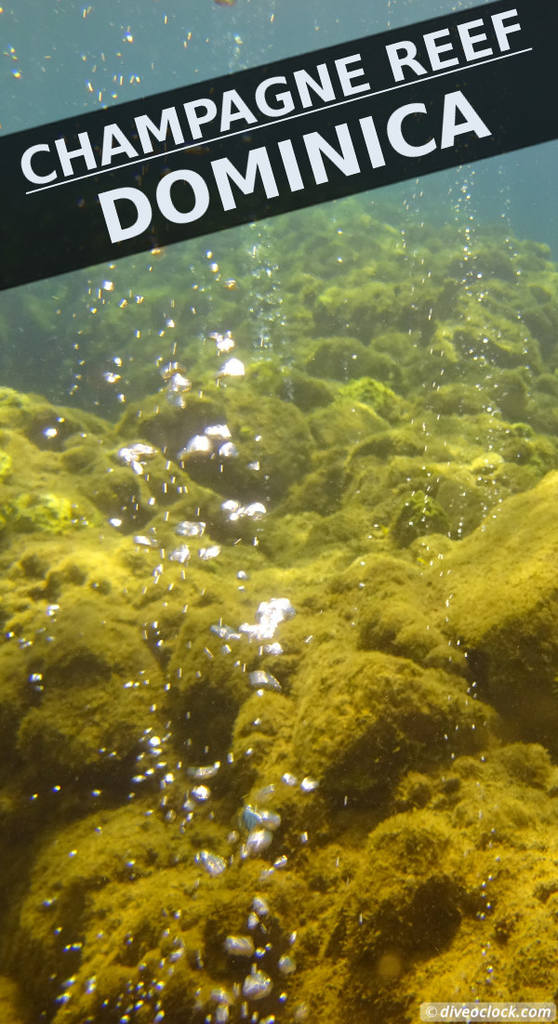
x=296 y=764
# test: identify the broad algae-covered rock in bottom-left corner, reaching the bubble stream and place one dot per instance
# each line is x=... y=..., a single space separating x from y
x=125 y=899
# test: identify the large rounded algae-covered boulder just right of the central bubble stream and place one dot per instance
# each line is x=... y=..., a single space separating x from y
x=364 y=721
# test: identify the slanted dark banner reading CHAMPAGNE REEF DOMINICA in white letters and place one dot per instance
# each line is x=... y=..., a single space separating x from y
x=279 y=138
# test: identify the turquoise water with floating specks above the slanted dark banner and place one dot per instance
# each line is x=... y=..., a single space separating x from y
x=51 y=41
